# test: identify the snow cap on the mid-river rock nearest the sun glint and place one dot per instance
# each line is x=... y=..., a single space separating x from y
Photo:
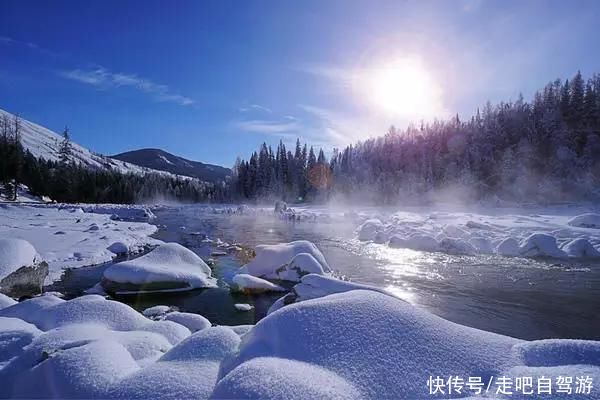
x=271 y=258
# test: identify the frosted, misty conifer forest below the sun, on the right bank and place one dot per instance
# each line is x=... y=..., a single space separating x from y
x=546 y=150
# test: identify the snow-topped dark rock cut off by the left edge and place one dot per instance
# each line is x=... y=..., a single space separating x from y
x=22 y=272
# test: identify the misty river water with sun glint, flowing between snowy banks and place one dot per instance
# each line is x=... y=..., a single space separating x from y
x=524 y=298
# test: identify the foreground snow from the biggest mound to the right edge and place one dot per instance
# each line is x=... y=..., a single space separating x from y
x=364 y=344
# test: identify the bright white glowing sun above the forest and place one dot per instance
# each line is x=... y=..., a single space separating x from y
x=403 y=87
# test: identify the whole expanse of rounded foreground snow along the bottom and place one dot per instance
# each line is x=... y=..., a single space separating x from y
x=352 y=344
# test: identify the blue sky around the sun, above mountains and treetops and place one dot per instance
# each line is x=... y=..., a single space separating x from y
x=210 y=80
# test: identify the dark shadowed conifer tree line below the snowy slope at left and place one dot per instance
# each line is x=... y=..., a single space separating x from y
x=68 y=181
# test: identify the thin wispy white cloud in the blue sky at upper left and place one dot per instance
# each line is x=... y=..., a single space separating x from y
x=104 y=79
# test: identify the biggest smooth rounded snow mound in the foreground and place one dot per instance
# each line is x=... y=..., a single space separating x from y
x=389 y=356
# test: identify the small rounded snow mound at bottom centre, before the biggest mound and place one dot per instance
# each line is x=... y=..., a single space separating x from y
x=281 y=379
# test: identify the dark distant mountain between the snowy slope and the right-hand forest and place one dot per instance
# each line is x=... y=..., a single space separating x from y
x=163 y=161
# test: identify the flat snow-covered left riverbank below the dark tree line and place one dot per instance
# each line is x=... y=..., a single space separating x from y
x=78 y=245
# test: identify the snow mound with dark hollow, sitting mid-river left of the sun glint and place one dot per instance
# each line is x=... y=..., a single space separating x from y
x=271 y=258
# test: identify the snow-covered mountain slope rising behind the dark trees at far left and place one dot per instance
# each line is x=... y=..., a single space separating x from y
x=44 y=143
